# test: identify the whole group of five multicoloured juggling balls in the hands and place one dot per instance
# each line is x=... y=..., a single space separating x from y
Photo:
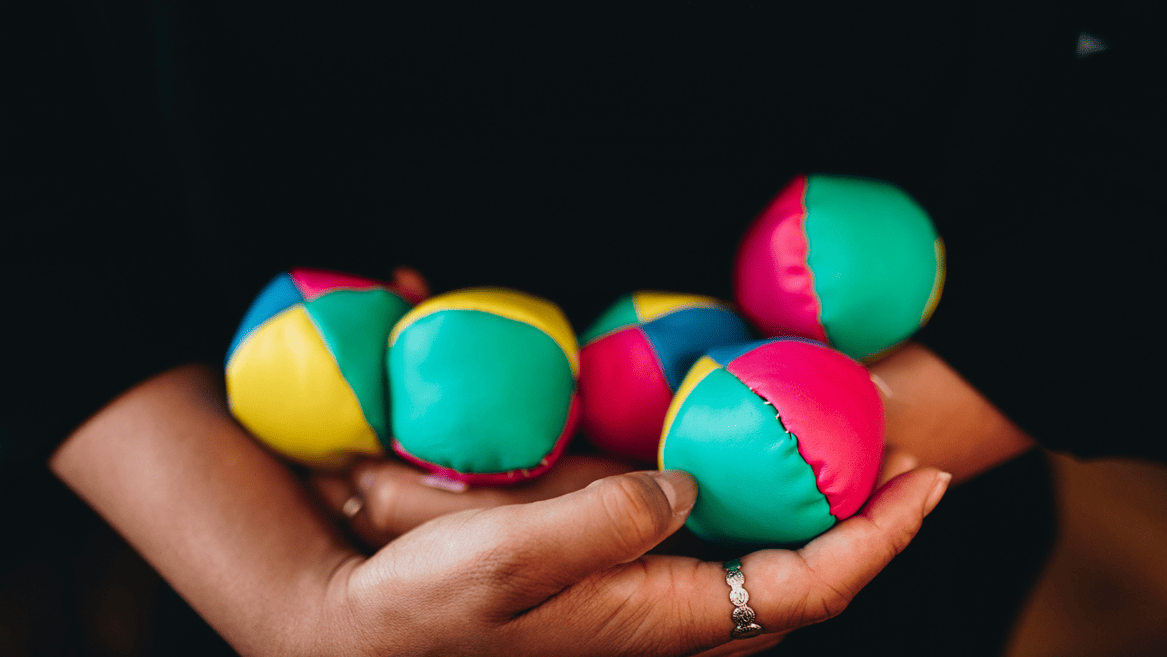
x=766 y=403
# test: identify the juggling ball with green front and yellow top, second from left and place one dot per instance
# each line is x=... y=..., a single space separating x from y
x=483 y=386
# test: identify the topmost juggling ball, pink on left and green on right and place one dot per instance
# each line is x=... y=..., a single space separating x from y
x=850 y=262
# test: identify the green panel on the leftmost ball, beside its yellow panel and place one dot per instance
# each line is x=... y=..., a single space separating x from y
x=355 y=326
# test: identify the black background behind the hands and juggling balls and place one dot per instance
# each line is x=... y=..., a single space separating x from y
x=166 y=159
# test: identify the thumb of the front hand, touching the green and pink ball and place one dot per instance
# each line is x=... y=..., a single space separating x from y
x=613 y=521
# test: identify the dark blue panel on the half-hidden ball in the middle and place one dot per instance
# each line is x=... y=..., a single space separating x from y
x=682 y=338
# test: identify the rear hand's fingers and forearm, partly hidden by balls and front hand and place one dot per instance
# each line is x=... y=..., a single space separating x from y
x=934 y=418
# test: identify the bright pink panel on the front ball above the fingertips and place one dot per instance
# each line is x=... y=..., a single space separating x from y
x=831 y=406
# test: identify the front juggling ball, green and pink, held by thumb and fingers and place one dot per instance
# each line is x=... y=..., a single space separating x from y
x=785 y=438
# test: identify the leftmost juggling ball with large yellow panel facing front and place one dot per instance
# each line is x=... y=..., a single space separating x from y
x=305 y=372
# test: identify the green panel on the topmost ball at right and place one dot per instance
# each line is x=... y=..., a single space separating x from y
x=872 y=249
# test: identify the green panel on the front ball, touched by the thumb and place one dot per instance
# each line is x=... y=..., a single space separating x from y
x=753 y=485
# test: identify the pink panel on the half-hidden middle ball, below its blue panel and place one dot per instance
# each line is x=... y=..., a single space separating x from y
x=624 y=394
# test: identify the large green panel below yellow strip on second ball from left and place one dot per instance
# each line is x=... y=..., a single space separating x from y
x=478 y=393
